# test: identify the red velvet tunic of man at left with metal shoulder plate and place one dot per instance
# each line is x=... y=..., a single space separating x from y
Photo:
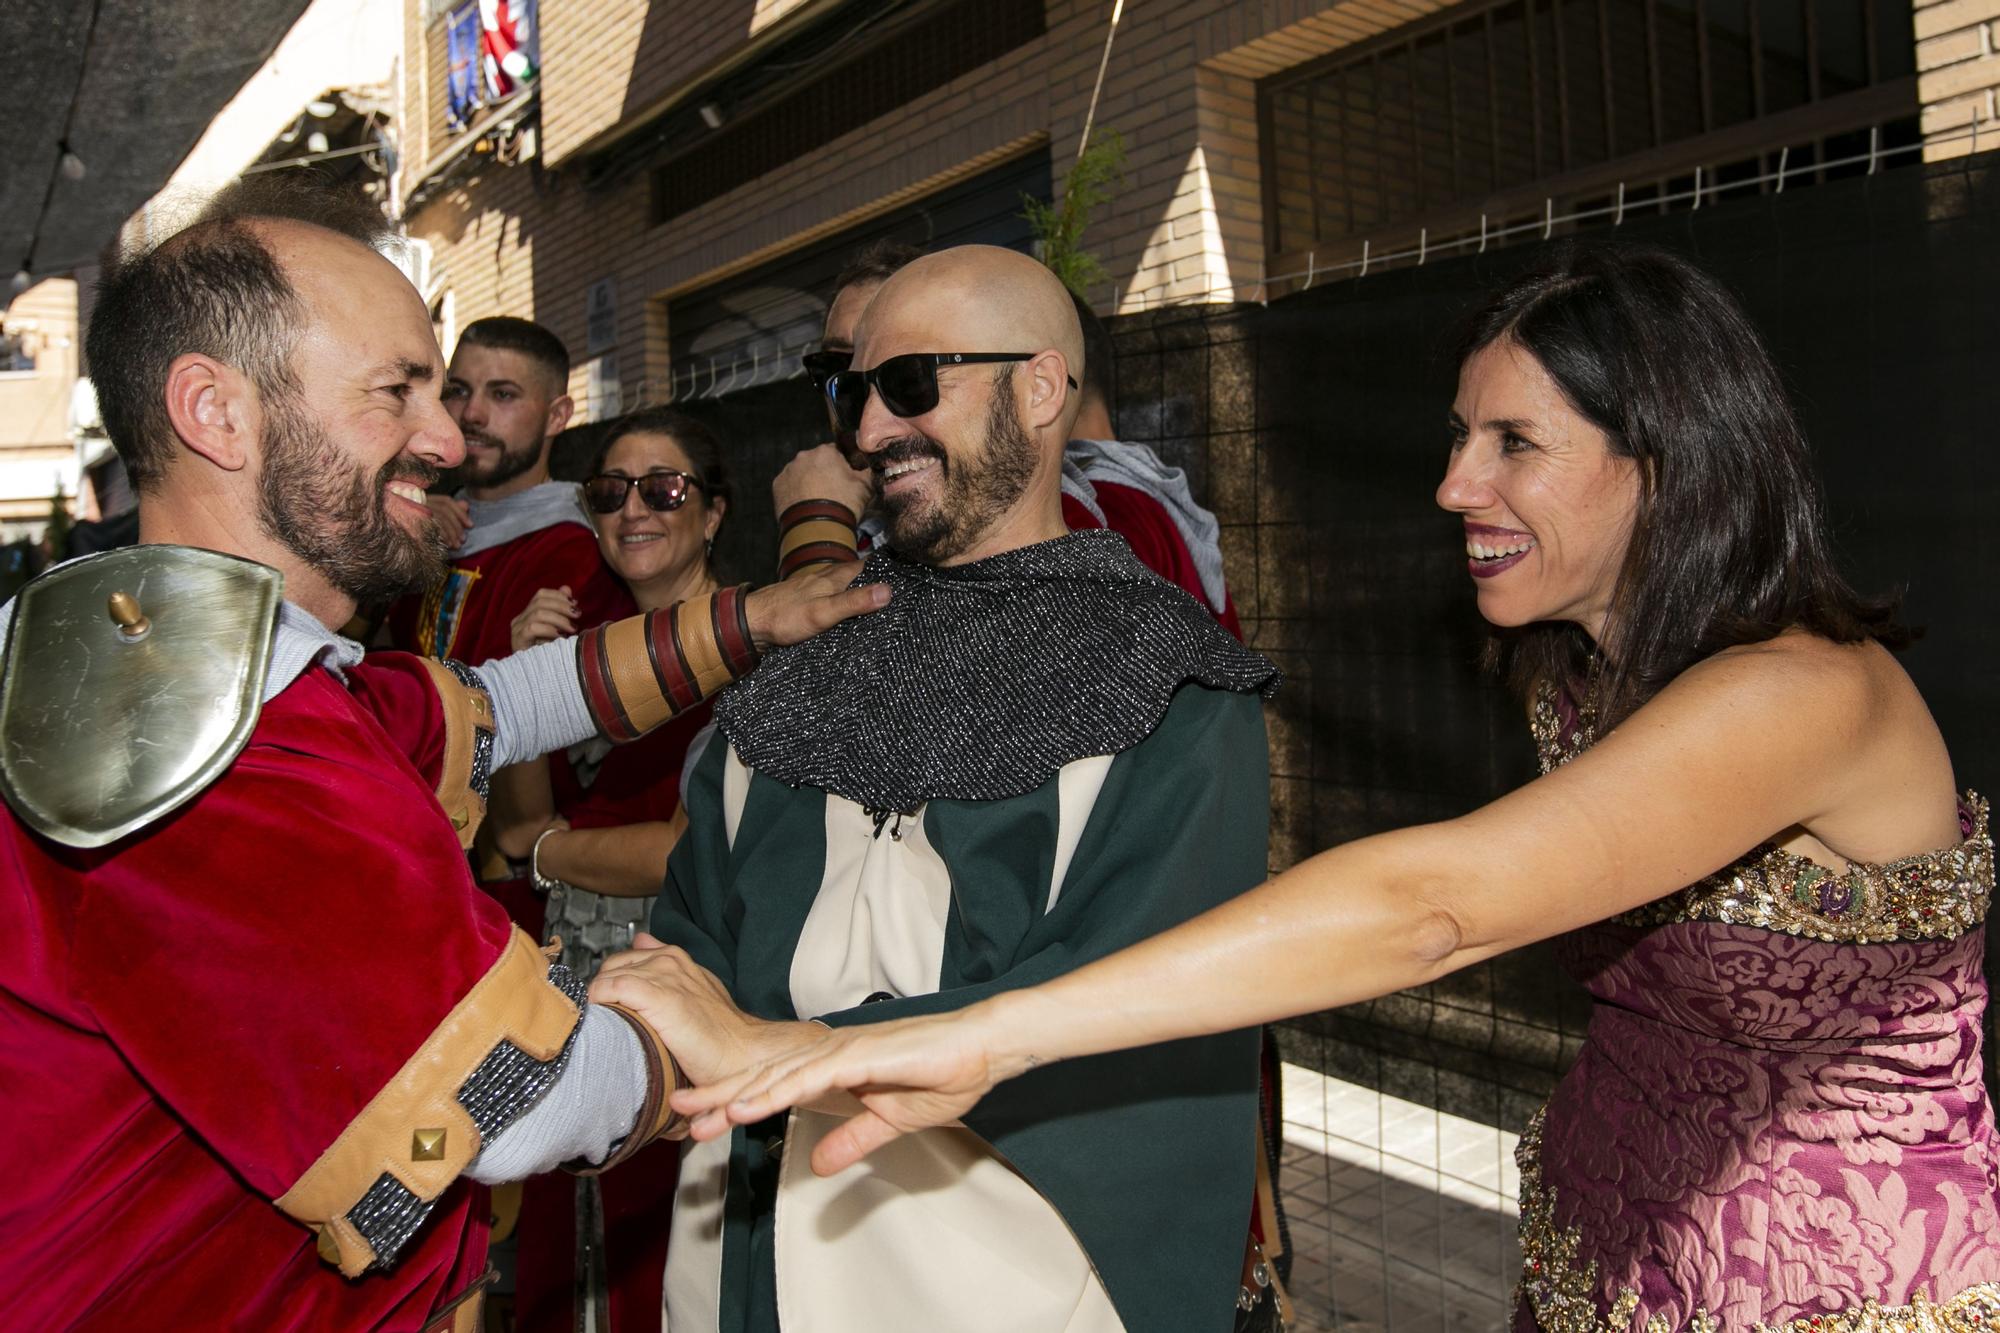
x=193 y=1016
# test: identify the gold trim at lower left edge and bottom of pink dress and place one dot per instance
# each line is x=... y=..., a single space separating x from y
x=1563 y=1290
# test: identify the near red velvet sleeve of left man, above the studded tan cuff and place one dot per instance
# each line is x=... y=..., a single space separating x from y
x=275 y=954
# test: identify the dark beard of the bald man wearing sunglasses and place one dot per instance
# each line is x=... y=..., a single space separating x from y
x=975 y=491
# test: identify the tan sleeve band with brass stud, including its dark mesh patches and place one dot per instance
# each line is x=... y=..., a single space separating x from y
x=493 y=1058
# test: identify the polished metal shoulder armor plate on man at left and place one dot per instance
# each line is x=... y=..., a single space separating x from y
x=131 y=682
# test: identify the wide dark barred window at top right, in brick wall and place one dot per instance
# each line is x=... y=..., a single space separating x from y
x=1497 y=107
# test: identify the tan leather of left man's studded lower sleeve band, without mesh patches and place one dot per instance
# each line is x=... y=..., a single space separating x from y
x=415 y=1130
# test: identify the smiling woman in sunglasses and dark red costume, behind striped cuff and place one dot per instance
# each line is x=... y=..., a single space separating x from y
x=657 y=495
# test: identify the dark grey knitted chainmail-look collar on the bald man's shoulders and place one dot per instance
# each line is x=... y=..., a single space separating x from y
x=983 y=682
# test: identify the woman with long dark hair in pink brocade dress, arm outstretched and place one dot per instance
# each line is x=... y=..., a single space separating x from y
x=1747 y=836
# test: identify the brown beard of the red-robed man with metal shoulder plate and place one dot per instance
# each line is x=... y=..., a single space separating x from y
x=335 y=517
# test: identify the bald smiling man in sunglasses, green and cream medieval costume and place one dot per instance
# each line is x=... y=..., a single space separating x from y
x=1045 y=754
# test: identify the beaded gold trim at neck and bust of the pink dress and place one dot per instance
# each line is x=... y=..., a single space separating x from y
x=1933 y=896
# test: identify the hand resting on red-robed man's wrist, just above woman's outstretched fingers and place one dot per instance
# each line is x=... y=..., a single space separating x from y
x=703 y=1028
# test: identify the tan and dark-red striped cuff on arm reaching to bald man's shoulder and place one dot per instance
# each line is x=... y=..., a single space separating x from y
x=641 y=672
